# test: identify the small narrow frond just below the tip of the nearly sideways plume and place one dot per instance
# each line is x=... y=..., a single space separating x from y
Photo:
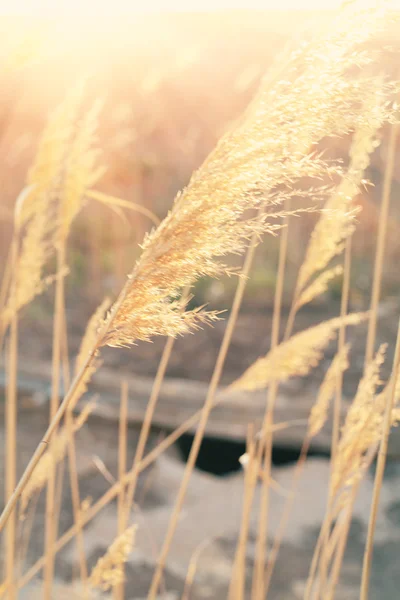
x=319 y=411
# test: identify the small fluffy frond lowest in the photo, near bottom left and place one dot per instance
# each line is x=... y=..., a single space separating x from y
x=108 y=571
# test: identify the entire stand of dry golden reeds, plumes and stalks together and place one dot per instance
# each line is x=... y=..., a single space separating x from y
x=266 y=173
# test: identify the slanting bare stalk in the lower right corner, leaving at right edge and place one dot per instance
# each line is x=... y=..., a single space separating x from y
x=380 y=469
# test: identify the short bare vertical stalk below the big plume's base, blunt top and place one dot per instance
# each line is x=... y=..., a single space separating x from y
x=118 y=590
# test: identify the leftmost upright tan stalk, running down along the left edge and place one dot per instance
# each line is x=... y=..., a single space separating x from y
x=11 y=428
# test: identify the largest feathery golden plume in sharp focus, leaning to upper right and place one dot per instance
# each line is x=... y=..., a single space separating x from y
x=271 y=148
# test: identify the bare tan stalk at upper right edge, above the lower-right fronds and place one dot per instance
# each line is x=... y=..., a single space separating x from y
x=381 y=242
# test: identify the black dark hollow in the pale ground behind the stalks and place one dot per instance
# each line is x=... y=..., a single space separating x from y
x=221 y=456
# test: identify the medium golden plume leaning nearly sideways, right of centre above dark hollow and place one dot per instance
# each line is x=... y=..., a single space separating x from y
x=296 y=357
